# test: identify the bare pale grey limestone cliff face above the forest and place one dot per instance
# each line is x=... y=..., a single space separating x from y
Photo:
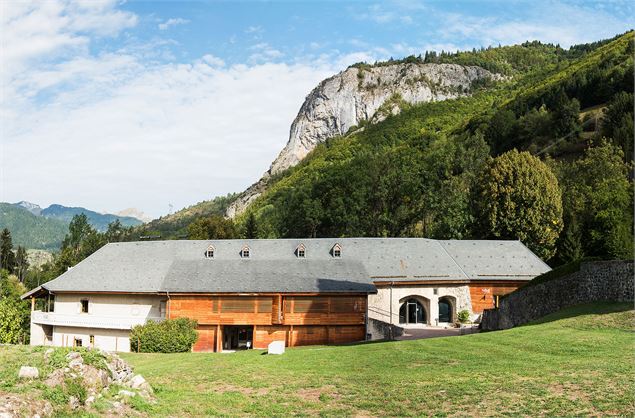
x=358 y=94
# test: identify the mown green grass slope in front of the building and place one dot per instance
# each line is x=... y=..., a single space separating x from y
x=577 y=362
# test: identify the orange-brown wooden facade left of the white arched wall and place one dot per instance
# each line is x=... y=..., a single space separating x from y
x=306 y=319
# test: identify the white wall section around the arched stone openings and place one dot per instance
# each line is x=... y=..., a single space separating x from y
x=379 y=305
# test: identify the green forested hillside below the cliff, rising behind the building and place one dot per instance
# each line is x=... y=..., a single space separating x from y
x=434 y=169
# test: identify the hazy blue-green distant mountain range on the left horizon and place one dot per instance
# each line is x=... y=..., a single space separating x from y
x=37 y=228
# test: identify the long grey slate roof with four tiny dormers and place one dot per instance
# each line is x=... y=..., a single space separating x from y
x=180 y=266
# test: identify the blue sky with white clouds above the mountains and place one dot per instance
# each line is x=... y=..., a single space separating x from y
x=159 y=105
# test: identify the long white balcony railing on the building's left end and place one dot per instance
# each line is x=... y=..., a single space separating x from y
x=88 y=320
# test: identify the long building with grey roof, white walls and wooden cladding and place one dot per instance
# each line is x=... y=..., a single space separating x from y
x=252 y=292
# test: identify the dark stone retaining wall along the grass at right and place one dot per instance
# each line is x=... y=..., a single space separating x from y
x=599 y=281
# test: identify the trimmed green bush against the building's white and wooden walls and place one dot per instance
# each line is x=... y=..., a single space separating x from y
x=169 y=336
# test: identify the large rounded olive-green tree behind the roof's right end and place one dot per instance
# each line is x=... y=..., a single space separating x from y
x=519 y=198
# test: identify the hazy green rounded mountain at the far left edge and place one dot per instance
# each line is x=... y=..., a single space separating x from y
x=29 y=230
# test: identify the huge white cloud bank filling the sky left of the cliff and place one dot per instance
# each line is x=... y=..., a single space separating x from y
x=114 y=129
